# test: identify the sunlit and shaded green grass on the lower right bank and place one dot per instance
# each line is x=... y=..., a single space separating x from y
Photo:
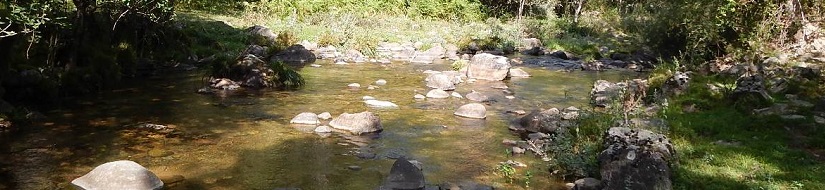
x=762 y=159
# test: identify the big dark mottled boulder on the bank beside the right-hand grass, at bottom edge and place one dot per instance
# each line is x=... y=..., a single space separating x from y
x=636 y=159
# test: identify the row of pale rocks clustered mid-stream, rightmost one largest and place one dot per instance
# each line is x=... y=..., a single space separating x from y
x=357 y=123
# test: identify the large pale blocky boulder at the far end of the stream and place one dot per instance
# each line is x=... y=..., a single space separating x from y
x=488 y=67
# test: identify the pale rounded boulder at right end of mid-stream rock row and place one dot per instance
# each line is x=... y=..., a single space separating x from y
x=359 y=123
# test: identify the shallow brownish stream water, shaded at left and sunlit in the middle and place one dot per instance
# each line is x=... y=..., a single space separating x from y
x=245 y=141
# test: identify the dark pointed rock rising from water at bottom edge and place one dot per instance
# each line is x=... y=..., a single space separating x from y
x=404 y=175
